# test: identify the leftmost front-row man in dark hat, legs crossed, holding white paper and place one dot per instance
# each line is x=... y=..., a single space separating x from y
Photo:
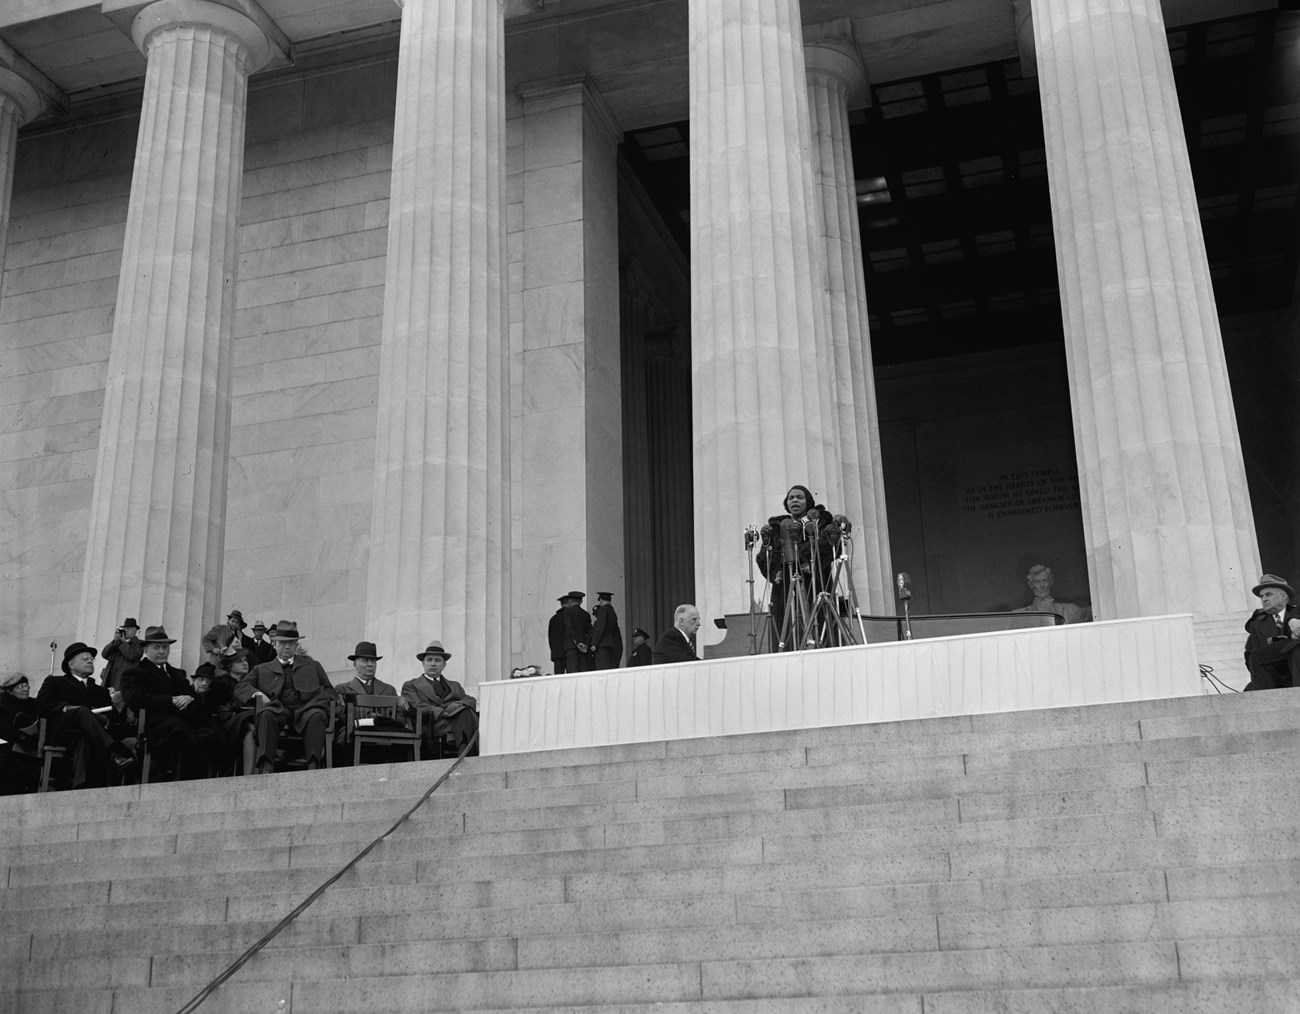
x=70 y=701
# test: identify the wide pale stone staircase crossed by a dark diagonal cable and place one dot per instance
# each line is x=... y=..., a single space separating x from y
x=1138 y=857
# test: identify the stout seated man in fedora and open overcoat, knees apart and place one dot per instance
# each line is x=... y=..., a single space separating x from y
x=293 y=691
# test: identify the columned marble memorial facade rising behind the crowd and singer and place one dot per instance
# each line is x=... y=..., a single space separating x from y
x=404 y=319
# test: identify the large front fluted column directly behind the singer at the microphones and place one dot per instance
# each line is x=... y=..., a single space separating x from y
x=762 y=371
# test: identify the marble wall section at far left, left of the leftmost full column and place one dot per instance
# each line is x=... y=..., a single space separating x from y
x=57 y=322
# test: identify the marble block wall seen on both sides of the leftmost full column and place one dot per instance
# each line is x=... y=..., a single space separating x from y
x=310 y=298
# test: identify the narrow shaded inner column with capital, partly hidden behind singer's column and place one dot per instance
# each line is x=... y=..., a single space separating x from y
x=837 y=80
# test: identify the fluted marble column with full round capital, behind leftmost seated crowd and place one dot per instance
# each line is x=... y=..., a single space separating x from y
x=158 y=514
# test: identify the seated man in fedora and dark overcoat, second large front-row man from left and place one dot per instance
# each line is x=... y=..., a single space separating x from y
x=180 y=733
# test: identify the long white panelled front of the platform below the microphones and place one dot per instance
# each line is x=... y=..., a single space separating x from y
x=1090 y=664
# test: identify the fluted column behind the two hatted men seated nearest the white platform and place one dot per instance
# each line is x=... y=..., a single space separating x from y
x=440 y=532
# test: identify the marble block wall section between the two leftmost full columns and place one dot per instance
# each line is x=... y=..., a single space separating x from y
x=314 y=233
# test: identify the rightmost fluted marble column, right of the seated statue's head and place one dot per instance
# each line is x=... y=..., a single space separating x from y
x=1168 y=522
